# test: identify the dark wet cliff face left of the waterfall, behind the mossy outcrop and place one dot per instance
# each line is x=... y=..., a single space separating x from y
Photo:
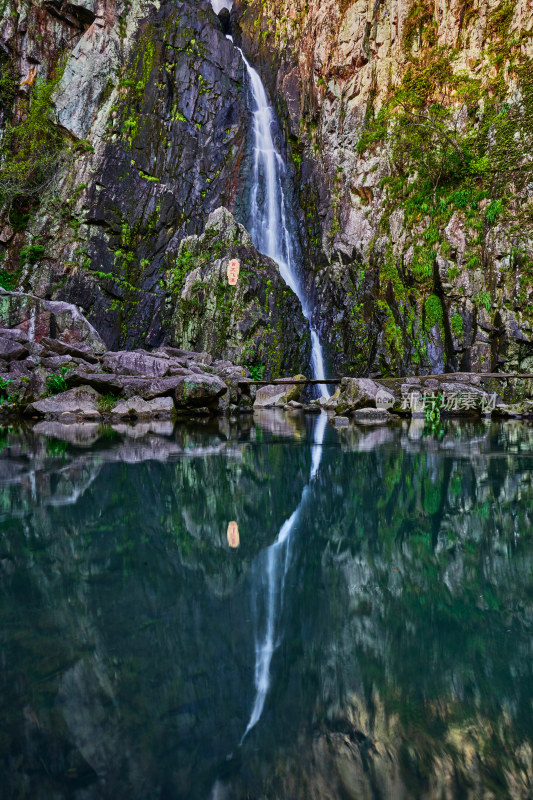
x=154 y=119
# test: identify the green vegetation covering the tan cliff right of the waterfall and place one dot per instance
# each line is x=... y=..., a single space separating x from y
x=457 y=145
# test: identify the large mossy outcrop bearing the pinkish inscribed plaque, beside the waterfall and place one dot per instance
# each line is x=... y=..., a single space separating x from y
x=257 y=321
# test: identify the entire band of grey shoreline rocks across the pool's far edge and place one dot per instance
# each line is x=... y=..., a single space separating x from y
x=54 y=364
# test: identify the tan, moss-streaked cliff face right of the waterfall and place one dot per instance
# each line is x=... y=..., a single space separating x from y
x=410 y=122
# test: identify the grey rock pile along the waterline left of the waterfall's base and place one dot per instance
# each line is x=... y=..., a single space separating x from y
x=53 y=364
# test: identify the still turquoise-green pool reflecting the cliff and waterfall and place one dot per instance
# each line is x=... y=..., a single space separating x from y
x=376 y=618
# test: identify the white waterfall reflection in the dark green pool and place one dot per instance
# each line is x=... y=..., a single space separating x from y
x=268 y=579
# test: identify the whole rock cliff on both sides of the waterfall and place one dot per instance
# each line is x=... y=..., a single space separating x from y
x=410 y=130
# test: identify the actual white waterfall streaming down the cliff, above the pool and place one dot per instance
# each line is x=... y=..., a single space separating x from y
x=269 y=210
